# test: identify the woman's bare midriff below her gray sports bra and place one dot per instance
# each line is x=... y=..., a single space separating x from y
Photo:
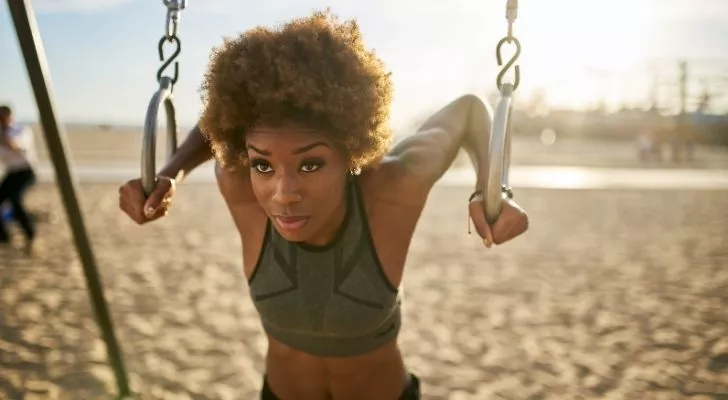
x=292 y=374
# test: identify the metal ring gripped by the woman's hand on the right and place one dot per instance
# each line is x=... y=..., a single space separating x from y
x=500 y=154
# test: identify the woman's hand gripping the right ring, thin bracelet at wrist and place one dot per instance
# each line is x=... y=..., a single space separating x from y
x=511 y=222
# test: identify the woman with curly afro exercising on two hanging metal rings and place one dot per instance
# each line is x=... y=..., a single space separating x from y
x=296 y=119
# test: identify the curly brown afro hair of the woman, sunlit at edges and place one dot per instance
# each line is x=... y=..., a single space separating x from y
x=313 y=71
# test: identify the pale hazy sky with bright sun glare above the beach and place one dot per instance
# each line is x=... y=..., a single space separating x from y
x=102 y=54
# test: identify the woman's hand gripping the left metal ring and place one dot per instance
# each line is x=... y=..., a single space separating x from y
x=141 y=209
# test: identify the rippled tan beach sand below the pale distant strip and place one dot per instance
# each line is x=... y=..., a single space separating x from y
x=611 y=294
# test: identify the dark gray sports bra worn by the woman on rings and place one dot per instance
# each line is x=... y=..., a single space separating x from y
x=330 y=301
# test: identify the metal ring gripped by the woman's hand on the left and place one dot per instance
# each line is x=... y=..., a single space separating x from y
x=149 y=140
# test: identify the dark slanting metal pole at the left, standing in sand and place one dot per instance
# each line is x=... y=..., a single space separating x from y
x=35 y=62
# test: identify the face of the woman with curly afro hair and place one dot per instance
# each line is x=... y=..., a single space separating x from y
x=298 y=176
